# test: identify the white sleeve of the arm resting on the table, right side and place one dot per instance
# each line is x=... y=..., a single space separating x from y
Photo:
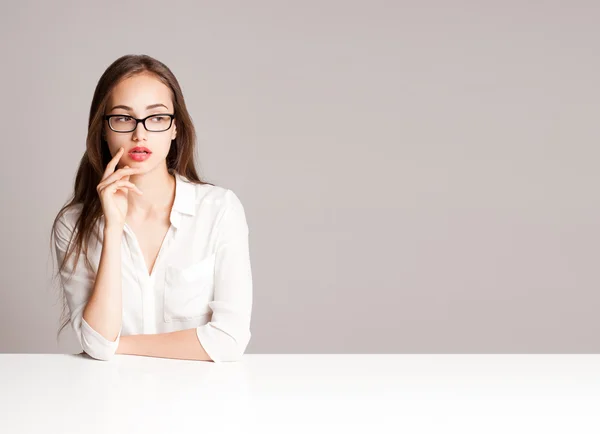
x=227 y=335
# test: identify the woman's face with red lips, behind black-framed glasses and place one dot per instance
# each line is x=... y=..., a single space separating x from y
x=138 y=97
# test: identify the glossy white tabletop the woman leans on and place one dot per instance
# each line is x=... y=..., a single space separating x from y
x=277 y=393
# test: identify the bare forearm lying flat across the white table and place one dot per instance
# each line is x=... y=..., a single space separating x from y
x=182 y=344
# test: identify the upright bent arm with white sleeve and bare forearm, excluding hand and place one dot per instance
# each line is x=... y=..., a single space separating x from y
x=80 y=285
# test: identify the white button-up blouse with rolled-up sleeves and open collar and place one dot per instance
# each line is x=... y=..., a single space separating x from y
x=202 y=276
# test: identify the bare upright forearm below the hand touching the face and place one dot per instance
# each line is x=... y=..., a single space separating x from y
x=104 y=308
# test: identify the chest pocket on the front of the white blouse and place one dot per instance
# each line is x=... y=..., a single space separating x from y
x=188 y=290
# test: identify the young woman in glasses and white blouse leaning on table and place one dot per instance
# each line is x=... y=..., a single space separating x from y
x=152 y=260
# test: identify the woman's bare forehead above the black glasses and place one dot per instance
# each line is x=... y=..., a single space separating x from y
x=140 y=91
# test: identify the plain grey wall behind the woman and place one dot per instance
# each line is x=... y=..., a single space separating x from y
x=418 y=176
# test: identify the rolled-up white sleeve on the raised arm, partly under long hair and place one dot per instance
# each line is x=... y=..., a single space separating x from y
x=78 y=287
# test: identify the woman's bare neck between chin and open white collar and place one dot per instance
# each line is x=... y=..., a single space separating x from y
x=159 y=194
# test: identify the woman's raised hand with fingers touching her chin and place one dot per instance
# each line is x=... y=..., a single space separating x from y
x=113 y=190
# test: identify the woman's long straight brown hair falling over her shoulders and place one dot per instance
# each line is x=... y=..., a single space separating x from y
x=180 y=158
